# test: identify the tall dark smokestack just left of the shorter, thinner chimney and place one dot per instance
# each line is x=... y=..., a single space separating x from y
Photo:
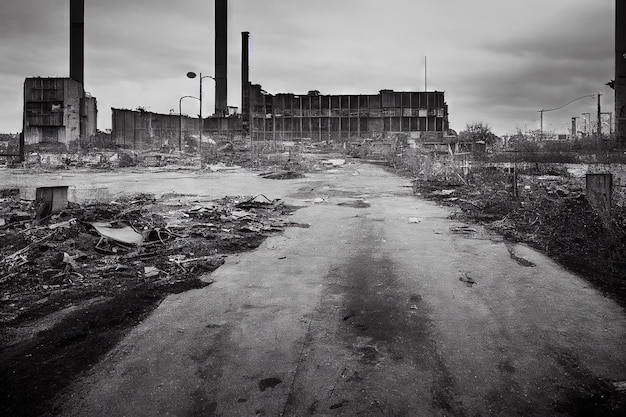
x=221 y=57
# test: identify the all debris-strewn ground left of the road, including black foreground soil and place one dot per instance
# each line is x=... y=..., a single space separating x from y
x=68 y=293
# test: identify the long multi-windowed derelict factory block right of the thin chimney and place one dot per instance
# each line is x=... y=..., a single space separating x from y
x=337 y=117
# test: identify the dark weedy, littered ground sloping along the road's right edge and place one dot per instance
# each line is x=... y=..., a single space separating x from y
x=551 y=214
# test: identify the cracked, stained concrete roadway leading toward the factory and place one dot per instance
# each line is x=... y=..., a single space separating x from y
x=364 y=313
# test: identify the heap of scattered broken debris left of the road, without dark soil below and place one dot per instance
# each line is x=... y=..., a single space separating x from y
x=106 y=249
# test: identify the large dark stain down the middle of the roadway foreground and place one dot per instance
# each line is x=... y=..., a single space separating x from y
x=395 y=328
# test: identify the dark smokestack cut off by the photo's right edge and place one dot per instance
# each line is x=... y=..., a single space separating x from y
x=620 y=70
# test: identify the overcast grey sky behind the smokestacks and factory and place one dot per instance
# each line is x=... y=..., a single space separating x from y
x=498 y=61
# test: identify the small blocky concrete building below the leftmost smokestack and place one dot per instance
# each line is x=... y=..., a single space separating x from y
x=55 y=110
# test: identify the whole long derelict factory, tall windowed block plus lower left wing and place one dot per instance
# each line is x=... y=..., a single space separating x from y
x=285 y=116
